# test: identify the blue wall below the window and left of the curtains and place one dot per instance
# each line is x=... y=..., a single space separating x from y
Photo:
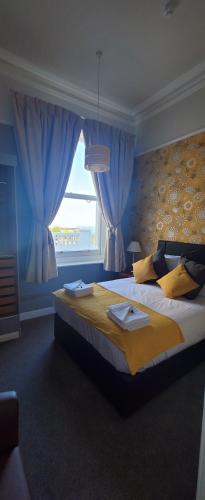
x=37 y=296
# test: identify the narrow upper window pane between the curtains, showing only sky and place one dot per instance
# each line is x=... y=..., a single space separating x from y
x=80 y=180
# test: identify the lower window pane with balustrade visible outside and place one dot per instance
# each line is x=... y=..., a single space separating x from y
x=75 y=227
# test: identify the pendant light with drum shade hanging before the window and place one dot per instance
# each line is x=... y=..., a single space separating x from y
x=97 y=156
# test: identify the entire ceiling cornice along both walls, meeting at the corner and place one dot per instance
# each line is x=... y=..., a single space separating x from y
x=58 y=88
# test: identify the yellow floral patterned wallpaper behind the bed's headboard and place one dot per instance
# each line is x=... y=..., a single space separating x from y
x=171 y=193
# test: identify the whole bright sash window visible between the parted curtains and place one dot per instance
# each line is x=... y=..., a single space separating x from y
x=78 y=229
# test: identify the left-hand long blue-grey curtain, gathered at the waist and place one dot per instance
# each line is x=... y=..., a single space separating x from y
x=46 y=137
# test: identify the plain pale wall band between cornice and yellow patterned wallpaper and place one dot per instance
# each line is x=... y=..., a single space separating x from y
x=183 y=118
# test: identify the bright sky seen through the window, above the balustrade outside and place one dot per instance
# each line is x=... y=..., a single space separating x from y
x=75 y=213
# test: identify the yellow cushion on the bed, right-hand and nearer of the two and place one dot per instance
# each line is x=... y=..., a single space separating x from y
x=177 y=282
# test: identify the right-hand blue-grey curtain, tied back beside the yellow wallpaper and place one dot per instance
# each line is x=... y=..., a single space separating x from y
x=112 y=187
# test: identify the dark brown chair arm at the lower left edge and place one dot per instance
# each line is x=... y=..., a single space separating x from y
x=8 y=420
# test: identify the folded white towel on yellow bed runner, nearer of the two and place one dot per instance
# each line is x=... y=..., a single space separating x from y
x=127 y=316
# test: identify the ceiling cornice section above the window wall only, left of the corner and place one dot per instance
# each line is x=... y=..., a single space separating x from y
x=21 y=70
